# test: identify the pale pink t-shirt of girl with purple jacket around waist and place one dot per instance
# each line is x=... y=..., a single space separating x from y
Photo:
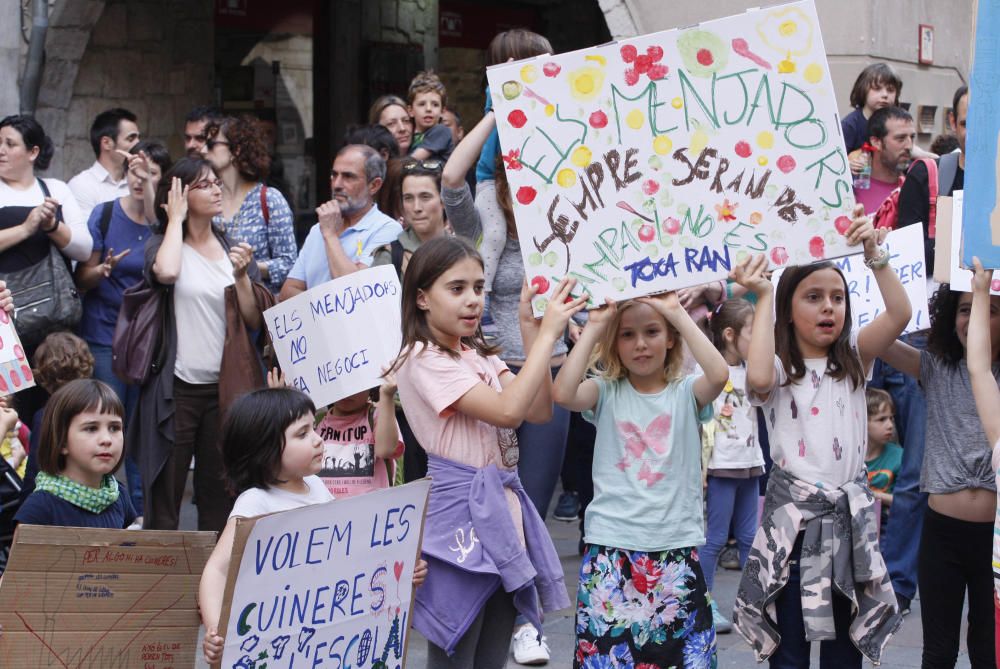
x=430 y=383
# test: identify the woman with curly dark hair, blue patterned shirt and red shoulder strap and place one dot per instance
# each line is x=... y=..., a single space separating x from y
x=251 y=212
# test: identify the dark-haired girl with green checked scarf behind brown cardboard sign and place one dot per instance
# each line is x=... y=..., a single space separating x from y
x=80 y=448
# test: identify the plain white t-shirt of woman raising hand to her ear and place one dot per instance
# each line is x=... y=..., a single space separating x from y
x=200 y=309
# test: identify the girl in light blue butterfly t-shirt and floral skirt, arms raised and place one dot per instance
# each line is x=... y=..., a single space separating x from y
x=642 y=596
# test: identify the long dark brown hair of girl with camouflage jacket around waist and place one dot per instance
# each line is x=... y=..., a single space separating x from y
x=842 y=361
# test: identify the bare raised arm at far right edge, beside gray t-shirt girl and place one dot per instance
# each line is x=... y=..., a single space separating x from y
x=979 y=352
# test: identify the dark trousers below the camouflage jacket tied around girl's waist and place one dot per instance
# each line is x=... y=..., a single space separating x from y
x=793 y=651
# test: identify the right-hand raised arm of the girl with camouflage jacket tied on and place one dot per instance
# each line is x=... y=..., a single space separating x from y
x=876 y=337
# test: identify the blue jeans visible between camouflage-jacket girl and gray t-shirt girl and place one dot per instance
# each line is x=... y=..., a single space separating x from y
x=901 y=541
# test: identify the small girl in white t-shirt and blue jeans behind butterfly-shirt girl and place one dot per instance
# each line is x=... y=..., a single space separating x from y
x=735 y=461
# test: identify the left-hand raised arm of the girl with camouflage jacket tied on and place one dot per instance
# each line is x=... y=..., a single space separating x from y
x=750 y=274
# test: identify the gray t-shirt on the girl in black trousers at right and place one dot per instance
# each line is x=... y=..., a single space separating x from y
x=956 y=452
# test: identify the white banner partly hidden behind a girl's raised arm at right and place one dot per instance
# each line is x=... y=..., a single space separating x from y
x=906 y=257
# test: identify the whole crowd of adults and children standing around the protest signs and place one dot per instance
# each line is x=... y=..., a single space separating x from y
x=666 y=417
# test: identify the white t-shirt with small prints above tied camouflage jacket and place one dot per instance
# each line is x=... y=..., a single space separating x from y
x=818 y=426
